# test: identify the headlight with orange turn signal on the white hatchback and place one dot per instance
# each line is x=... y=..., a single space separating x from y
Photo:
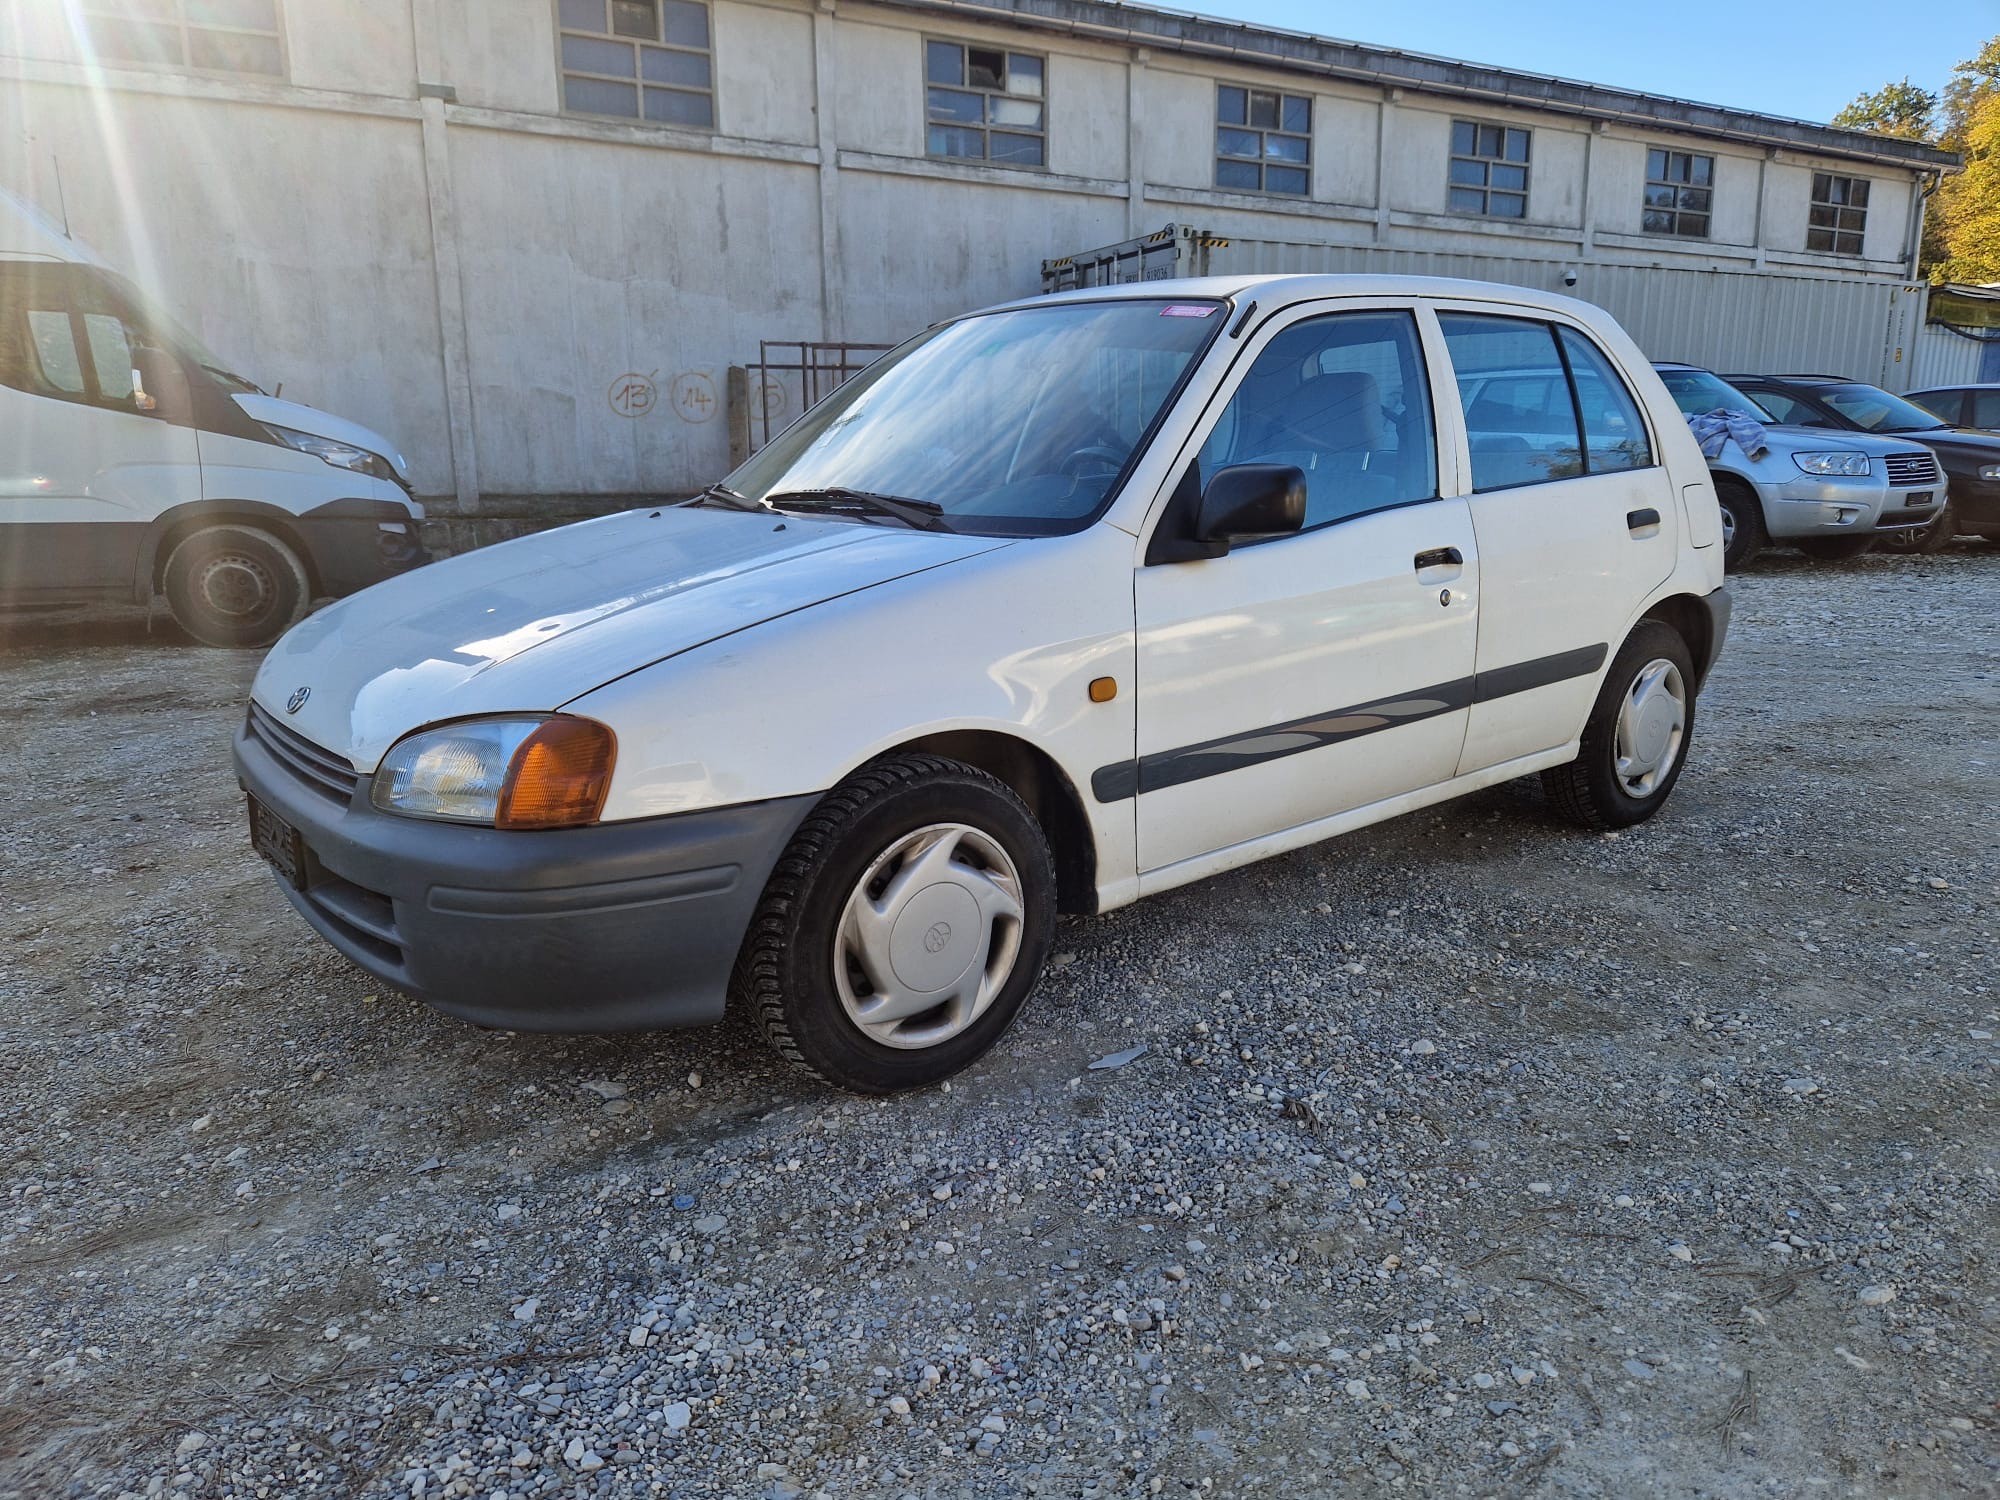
x=543 y=771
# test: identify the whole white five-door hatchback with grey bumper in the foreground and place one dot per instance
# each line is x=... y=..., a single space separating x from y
x=1055 y=607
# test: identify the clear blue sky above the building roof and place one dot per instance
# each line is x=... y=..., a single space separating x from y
x=1781 y=57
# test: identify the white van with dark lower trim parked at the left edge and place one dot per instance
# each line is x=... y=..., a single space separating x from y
x=133 y=463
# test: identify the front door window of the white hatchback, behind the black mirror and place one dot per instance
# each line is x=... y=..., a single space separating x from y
x=1349 y=403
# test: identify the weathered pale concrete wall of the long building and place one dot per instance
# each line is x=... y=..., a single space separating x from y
x=409 y=231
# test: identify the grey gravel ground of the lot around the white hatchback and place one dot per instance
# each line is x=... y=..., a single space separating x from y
x=1467 y=1155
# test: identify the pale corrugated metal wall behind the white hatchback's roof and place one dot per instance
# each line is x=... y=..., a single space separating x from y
x=1727 y=321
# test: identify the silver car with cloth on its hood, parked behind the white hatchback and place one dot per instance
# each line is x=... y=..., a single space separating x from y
x=1829 y=497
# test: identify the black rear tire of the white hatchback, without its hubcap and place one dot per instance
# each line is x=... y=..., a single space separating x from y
x=1593 y=791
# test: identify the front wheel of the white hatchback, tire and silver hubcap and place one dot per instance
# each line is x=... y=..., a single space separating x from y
x=815 y=967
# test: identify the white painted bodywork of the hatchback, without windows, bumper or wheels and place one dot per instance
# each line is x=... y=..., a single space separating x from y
x=743 y=659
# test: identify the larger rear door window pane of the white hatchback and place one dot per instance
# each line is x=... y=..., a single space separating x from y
x=1515 y=391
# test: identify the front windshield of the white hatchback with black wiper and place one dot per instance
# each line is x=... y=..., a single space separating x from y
x=1009 y=423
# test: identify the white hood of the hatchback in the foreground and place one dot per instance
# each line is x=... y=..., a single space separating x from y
x=531 y=625
